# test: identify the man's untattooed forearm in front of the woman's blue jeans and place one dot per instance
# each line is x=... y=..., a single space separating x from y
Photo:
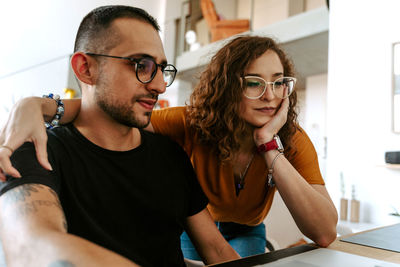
x=209 y=242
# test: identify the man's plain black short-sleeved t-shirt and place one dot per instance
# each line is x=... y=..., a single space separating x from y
x=133 y=202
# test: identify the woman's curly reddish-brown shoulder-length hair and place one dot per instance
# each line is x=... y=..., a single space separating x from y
x=214 y=106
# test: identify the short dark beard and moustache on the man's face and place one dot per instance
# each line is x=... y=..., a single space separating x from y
x=120 y=112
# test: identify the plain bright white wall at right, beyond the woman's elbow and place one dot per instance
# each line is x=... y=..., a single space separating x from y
x=359 y=104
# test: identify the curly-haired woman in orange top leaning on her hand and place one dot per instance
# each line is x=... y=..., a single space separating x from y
x=244 y=103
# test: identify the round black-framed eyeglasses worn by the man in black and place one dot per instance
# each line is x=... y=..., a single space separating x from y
x=146 y=68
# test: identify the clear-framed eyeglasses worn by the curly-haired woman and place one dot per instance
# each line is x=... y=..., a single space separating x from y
x=255 y=87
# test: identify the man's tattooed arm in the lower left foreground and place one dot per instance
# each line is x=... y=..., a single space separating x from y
x=34 y=232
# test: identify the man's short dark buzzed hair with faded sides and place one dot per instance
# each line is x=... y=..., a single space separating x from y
x=93 y=34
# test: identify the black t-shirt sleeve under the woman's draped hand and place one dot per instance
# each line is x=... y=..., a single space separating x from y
x=24 y=160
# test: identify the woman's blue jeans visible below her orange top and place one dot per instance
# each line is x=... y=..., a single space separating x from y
x=246 y=240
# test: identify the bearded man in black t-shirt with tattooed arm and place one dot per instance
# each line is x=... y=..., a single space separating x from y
x=126 y=194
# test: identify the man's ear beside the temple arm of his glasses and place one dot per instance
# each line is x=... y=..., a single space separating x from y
x=84 y=67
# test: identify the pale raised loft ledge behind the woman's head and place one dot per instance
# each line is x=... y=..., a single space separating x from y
x=304 y=37
